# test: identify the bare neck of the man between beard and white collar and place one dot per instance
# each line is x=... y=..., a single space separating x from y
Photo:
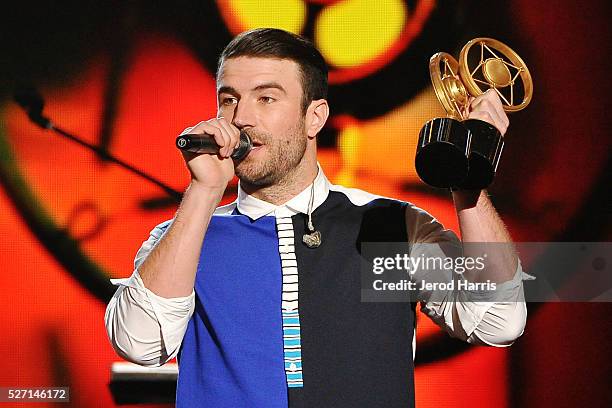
x=289 y=186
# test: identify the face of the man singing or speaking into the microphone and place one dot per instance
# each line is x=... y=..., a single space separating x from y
x=263 y=96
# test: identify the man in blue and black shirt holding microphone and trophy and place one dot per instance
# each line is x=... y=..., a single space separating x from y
x=260 y=299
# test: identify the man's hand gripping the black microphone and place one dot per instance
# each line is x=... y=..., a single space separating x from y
x=213 y=171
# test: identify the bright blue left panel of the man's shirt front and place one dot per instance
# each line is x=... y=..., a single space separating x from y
x=232 y=353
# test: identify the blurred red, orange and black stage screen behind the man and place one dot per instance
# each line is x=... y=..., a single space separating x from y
x=129 y=77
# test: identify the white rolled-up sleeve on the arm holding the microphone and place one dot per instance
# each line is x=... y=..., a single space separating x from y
x=142 y=327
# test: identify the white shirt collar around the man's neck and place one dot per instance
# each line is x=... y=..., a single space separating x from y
x=255 y=208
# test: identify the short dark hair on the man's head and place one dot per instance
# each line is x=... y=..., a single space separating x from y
x=275 y=43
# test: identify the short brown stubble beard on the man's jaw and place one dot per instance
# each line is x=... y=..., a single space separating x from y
x=282 y=155
